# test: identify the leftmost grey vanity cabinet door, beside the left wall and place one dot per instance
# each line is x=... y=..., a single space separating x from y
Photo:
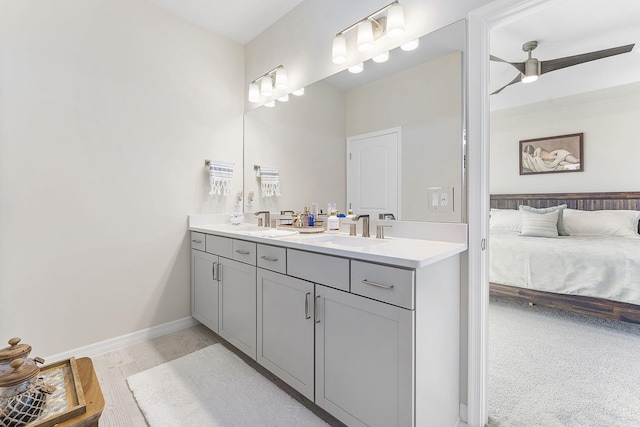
x=204 y=289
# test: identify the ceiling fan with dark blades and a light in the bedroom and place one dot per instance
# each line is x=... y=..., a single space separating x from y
x=532 y=68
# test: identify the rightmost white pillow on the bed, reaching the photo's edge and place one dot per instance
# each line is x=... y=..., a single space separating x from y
x=605 y=222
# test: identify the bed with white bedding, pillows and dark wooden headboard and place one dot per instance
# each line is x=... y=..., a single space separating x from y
x=593 y=270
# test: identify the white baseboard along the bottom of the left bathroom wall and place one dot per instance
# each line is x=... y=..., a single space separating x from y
x=116 y=343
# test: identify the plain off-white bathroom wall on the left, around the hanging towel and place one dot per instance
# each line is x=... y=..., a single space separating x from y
x=107 y=112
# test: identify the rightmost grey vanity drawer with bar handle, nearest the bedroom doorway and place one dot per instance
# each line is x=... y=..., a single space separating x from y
x=383 y=283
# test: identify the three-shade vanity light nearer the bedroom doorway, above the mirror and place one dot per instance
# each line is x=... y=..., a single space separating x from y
x=369 y=29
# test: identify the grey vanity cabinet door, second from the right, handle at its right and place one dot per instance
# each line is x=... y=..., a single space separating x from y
x=285 y=329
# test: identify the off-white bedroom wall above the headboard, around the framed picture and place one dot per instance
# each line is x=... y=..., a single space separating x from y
x=608 y=119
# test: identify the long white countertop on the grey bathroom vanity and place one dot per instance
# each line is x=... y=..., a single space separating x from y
x=410 y=253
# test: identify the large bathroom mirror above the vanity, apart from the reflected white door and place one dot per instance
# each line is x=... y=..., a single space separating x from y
x=419 y=92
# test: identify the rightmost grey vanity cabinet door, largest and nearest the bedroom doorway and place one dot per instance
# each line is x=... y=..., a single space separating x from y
x=364 y=360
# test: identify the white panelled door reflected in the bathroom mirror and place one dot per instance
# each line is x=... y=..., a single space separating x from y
x=372 y=173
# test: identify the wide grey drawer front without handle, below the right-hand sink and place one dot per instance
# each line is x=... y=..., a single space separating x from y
x=323 y=269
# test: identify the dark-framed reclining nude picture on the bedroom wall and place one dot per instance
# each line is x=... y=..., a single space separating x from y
x=552 y=154
